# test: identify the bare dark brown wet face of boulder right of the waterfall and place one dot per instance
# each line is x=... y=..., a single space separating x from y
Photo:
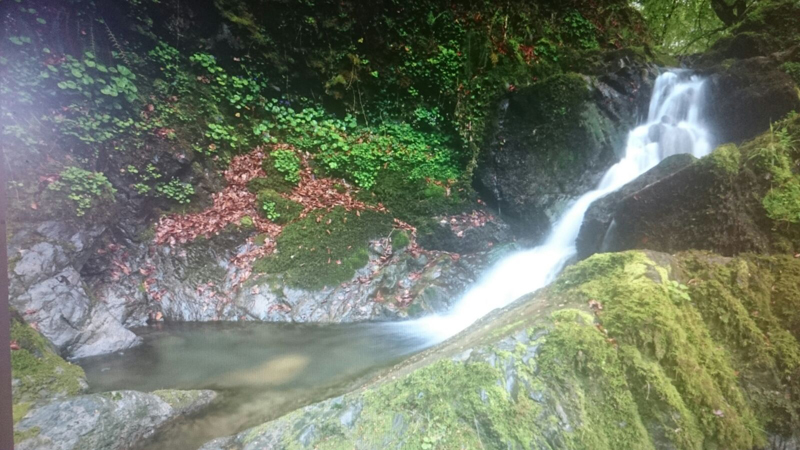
x=687 y=209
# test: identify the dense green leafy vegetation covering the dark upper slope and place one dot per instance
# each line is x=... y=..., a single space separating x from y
x=112 y=102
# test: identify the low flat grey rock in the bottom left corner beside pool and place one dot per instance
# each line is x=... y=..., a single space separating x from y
x=107 y=421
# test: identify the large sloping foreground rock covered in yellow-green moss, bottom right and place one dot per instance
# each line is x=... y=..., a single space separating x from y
x=624 y=351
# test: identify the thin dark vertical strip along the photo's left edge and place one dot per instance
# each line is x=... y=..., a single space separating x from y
x=6 y=414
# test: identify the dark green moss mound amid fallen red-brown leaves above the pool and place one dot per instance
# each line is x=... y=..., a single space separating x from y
x=325 y=249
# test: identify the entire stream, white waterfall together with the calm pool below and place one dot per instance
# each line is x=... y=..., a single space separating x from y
x=263 y=371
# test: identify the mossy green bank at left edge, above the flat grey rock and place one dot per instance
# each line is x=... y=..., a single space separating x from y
x=40 y=372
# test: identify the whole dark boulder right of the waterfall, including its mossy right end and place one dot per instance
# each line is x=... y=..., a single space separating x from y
x=737 y=199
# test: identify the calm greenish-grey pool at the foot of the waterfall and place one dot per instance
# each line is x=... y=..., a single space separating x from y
x=261 y=370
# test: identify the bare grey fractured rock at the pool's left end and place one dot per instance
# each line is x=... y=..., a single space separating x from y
x=47 y=289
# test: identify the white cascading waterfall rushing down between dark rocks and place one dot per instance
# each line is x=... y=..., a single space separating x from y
x=673 y=126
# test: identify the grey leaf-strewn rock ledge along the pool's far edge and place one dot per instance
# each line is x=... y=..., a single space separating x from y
x=198 y=283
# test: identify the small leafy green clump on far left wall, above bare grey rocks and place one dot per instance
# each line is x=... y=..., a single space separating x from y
x=82 y=190
